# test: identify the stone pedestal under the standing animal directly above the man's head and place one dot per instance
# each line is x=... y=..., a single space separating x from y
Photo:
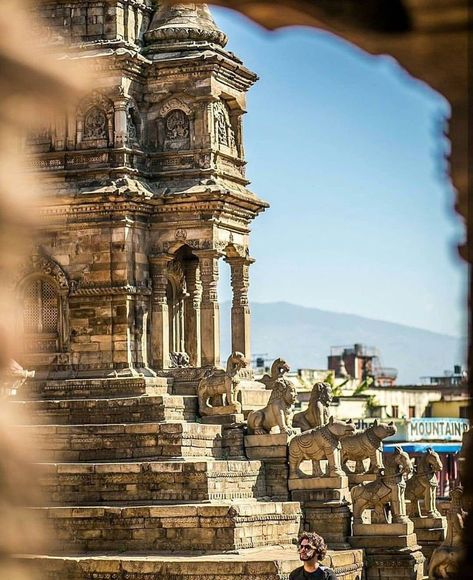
x=325 y=506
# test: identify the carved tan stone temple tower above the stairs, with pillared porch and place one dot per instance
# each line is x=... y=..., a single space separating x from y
x=147 y=195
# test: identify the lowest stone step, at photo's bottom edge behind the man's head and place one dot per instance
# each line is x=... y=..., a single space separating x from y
x=271 y=563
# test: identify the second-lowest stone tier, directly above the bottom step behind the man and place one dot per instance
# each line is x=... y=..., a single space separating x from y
x=217 y=527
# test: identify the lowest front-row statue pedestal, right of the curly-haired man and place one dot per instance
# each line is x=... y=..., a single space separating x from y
x=391 y=550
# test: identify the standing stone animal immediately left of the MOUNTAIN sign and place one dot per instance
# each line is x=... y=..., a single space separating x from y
x=367 y=445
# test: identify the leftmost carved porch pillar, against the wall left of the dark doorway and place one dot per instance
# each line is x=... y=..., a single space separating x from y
x=159 y=313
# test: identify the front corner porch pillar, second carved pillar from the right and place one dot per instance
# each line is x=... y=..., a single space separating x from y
x=209 y=310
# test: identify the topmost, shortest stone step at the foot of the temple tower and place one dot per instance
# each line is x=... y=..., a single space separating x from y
x=95 y=388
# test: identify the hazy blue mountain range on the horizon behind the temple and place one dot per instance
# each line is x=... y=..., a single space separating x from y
x=303 y=336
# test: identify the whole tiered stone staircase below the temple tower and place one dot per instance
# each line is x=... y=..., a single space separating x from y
x=136 y=488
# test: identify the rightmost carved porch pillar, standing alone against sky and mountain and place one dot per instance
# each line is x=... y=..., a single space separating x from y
x=240 y=306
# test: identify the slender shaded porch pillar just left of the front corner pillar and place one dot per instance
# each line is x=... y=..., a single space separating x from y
x=193 y=322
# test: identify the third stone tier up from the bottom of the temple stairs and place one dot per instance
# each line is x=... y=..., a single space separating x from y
x=157 y=481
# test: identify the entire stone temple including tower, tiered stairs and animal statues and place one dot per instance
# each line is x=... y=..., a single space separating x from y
x=156 y=462
